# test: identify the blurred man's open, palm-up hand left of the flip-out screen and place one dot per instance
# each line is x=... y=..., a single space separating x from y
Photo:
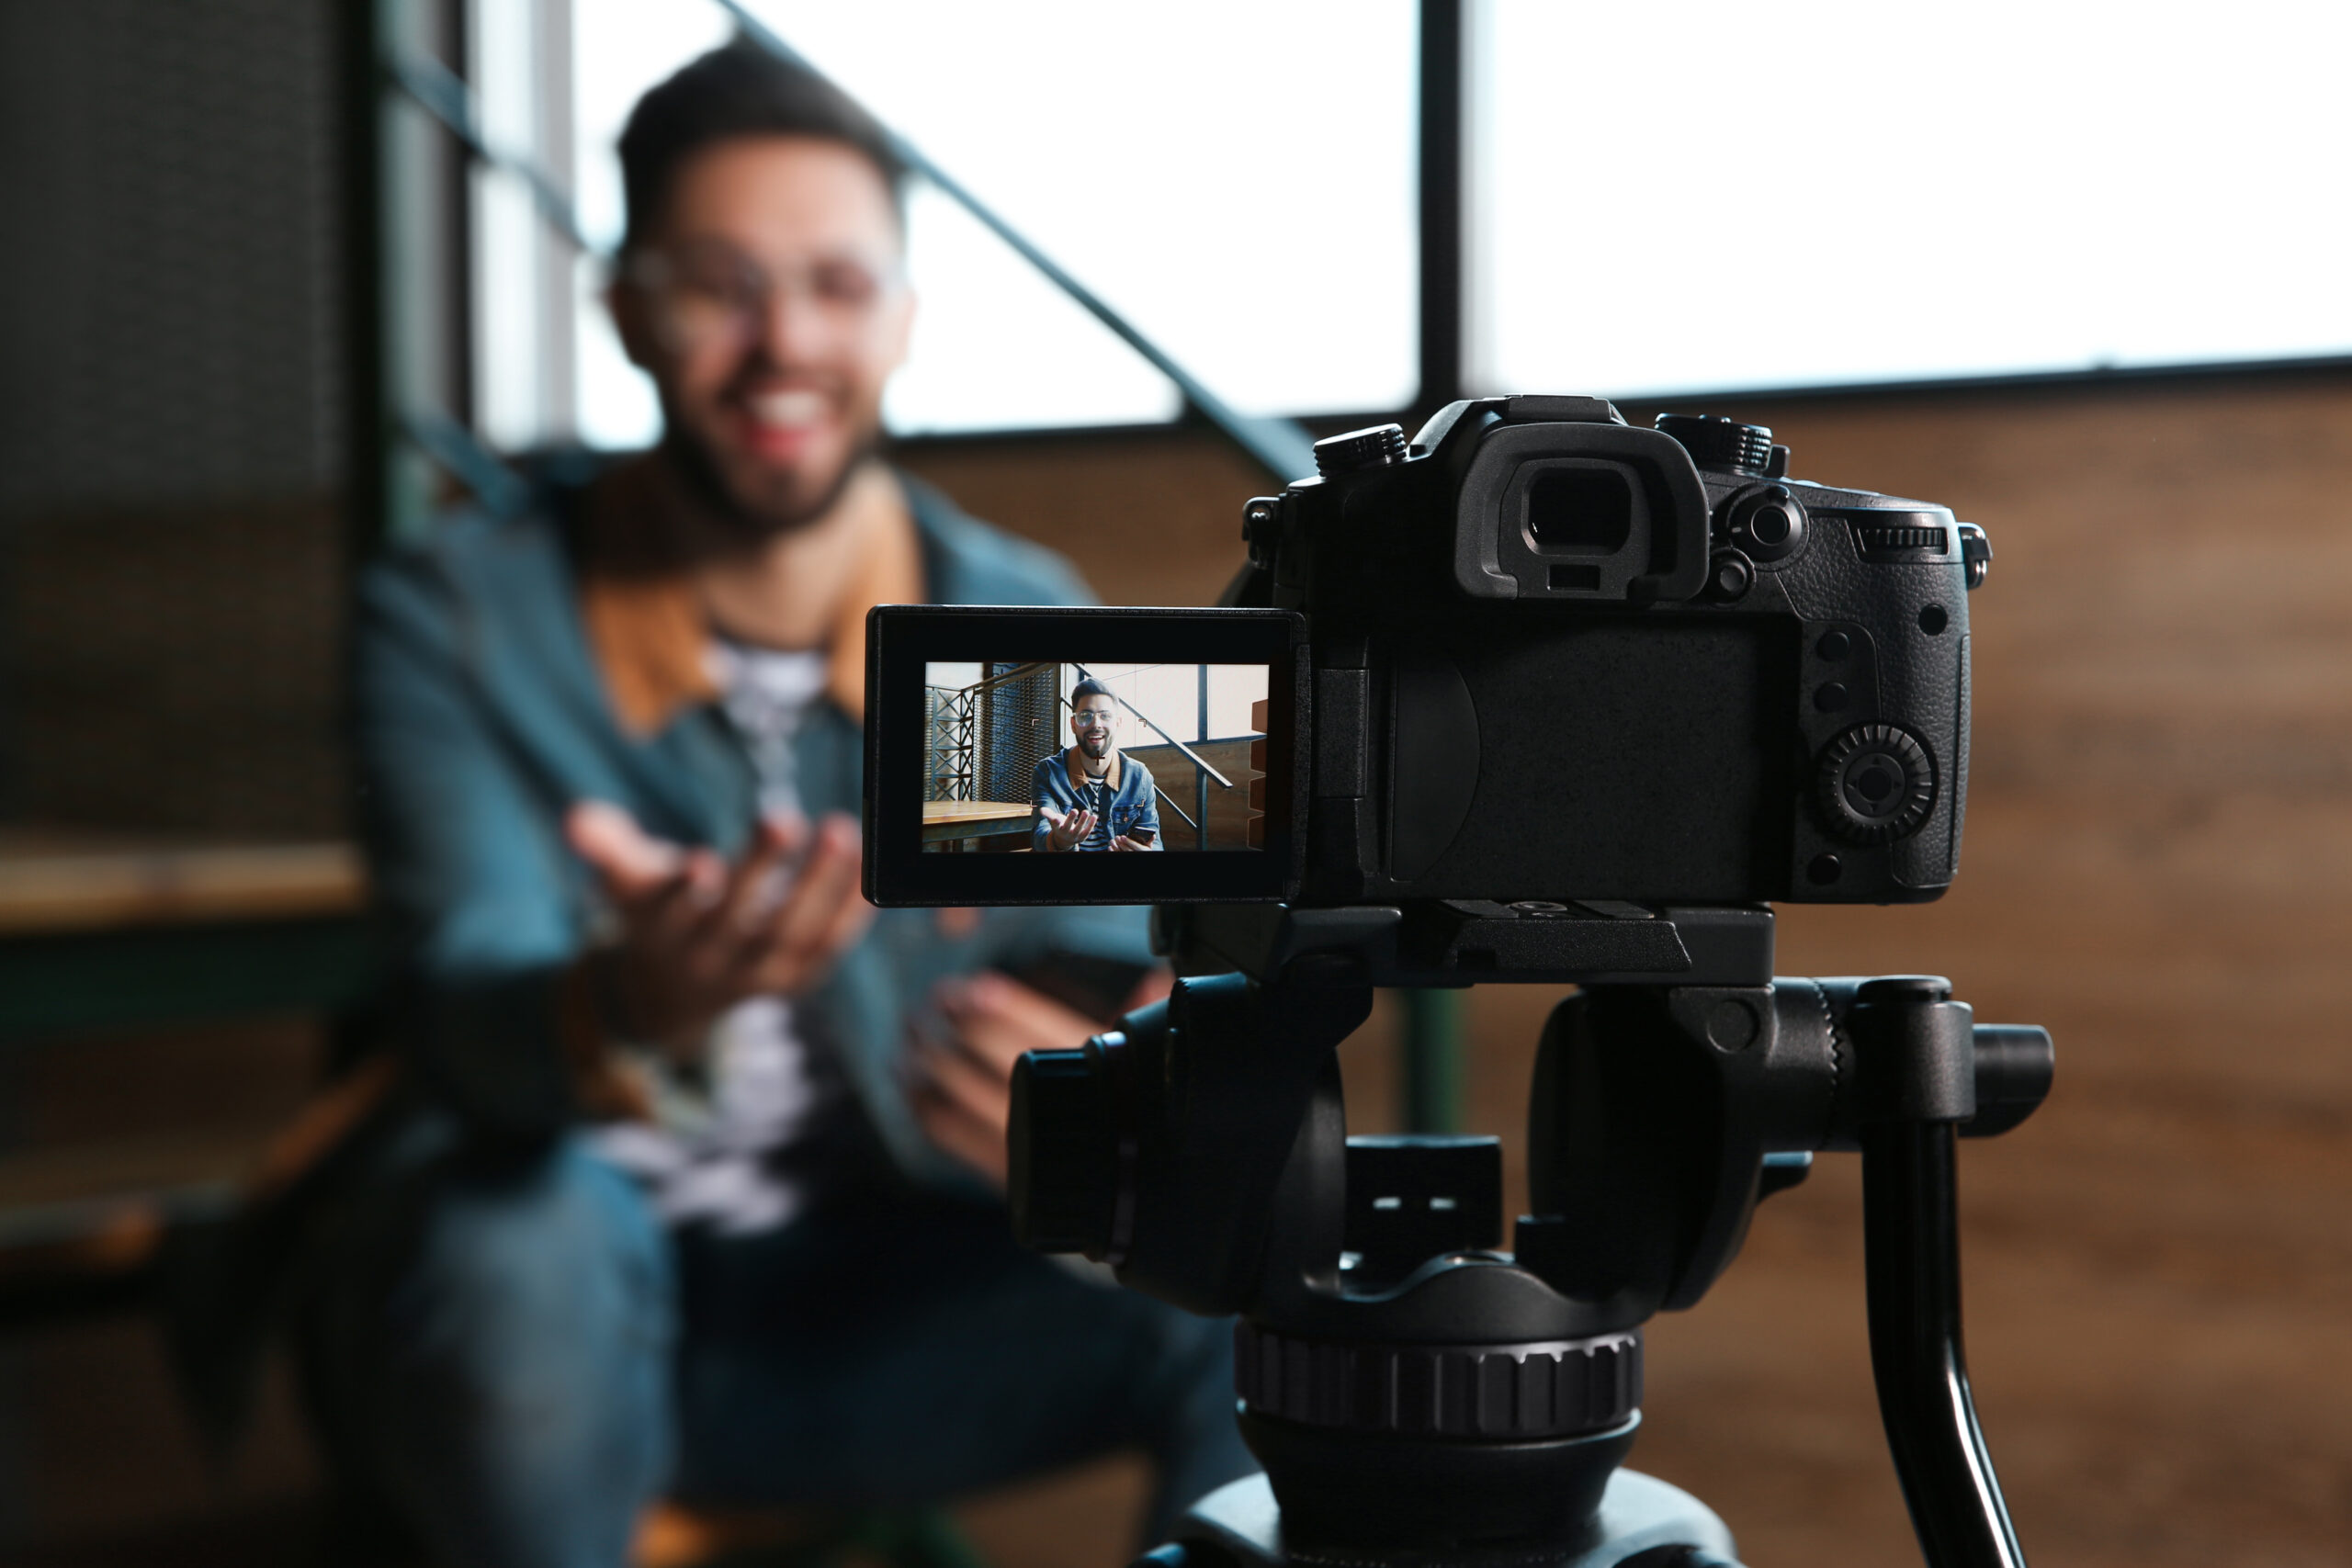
x=700 y=937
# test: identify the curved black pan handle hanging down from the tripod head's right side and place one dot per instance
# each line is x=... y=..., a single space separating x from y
x=1911 y=1235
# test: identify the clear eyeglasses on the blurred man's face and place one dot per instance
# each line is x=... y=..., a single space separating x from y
x=714 y=293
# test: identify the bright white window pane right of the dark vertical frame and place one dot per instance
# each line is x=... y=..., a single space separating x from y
x=1716 y=196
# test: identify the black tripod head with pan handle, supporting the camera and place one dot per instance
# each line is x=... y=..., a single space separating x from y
x=1419 y=1398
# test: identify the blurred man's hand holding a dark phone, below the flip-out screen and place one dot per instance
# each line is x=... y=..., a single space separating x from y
x=963 y=1083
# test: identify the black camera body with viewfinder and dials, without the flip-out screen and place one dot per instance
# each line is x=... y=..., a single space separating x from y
x=1565 y=659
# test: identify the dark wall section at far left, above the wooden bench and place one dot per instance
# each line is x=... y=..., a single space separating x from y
x=171 y=417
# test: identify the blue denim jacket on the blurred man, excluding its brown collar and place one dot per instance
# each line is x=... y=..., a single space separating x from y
x=483 y=716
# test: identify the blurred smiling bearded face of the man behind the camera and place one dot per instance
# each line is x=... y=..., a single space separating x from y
x=770 y=309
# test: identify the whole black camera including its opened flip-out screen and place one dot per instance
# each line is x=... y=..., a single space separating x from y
x=1530 y=657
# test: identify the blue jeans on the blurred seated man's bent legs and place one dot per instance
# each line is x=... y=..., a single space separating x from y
x=516 y=1358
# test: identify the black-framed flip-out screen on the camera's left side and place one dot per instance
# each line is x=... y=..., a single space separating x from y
x=1081 y=756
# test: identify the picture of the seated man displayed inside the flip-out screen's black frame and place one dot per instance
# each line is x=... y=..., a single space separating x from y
x=1095 y=758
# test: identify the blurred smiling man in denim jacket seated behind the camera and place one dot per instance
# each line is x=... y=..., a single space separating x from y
x=671 y=1214
